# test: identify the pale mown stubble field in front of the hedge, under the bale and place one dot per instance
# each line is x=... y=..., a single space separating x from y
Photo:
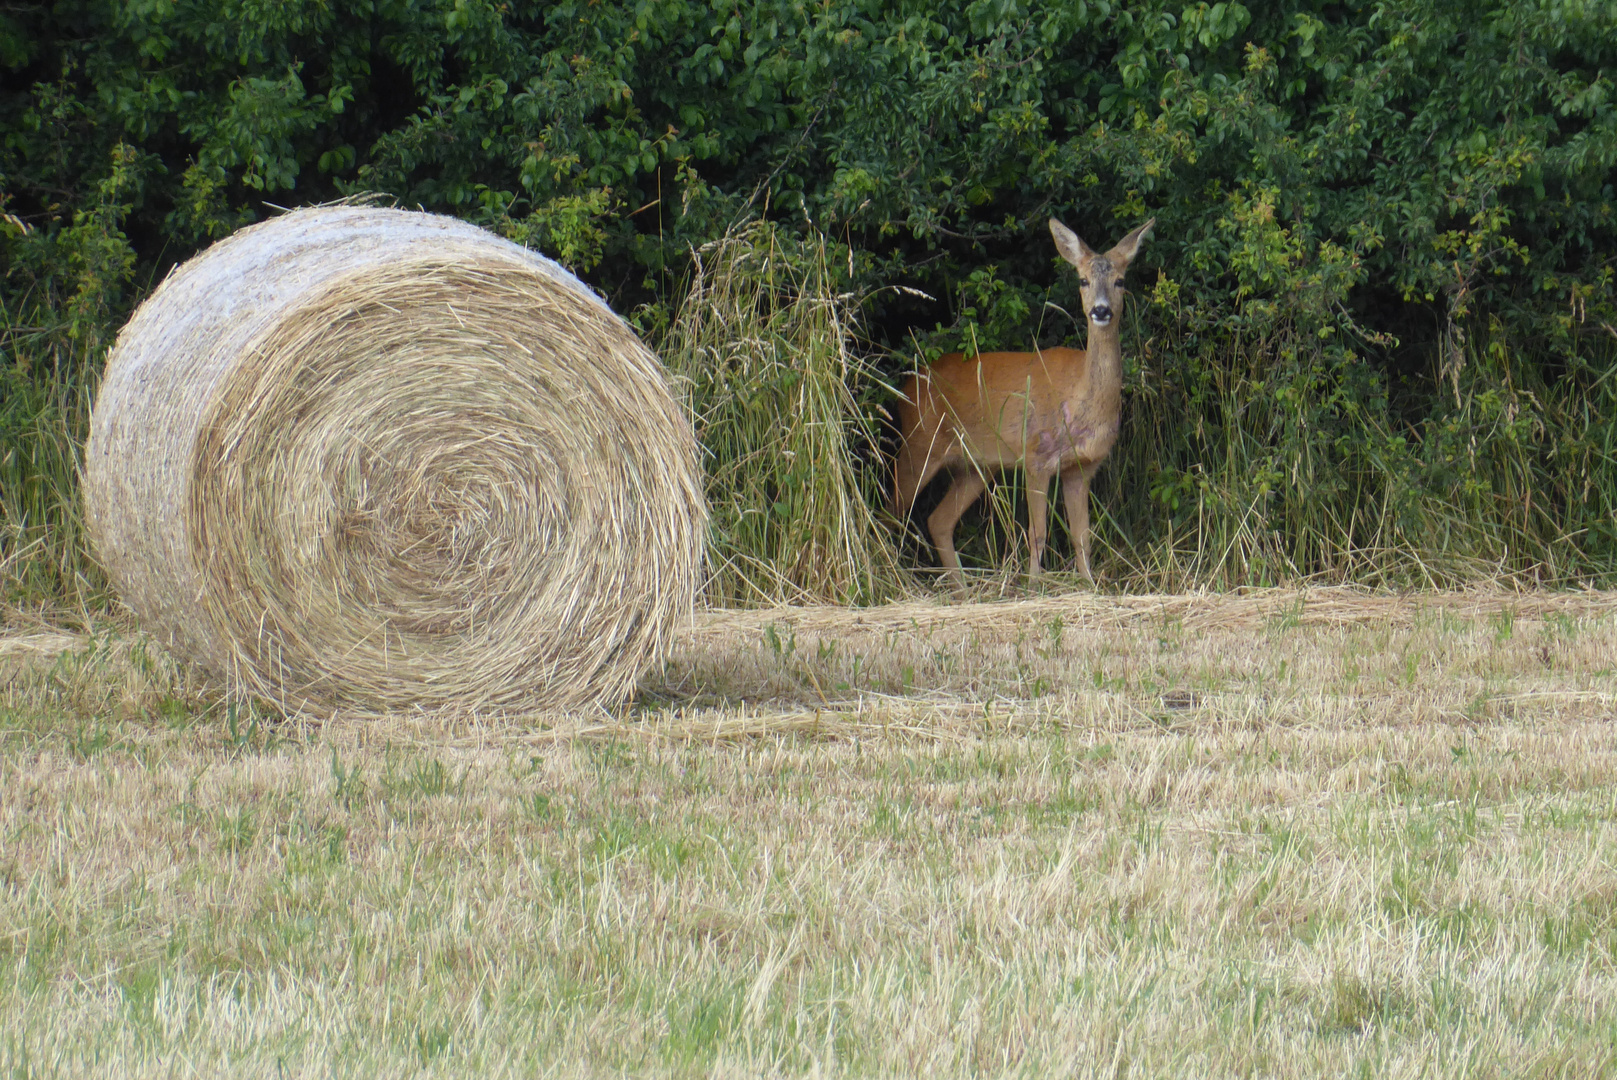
x=1273 y=835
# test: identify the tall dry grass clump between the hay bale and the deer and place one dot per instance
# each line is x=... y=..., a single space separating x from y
x=783 y=411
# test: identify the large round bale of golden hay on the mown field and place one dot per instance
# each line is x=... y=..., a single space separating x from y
x=363 y=458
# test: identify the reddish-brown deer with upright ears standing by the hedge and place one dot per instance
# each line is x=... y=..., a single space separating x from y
x=1052 y=413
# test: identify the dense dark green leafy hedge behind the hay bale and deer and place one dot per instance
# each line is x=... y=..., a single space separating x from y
x=1375 y=332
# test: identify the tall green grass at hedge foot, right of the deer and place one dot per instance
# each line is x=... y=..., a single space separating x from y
x=1265 y=458
